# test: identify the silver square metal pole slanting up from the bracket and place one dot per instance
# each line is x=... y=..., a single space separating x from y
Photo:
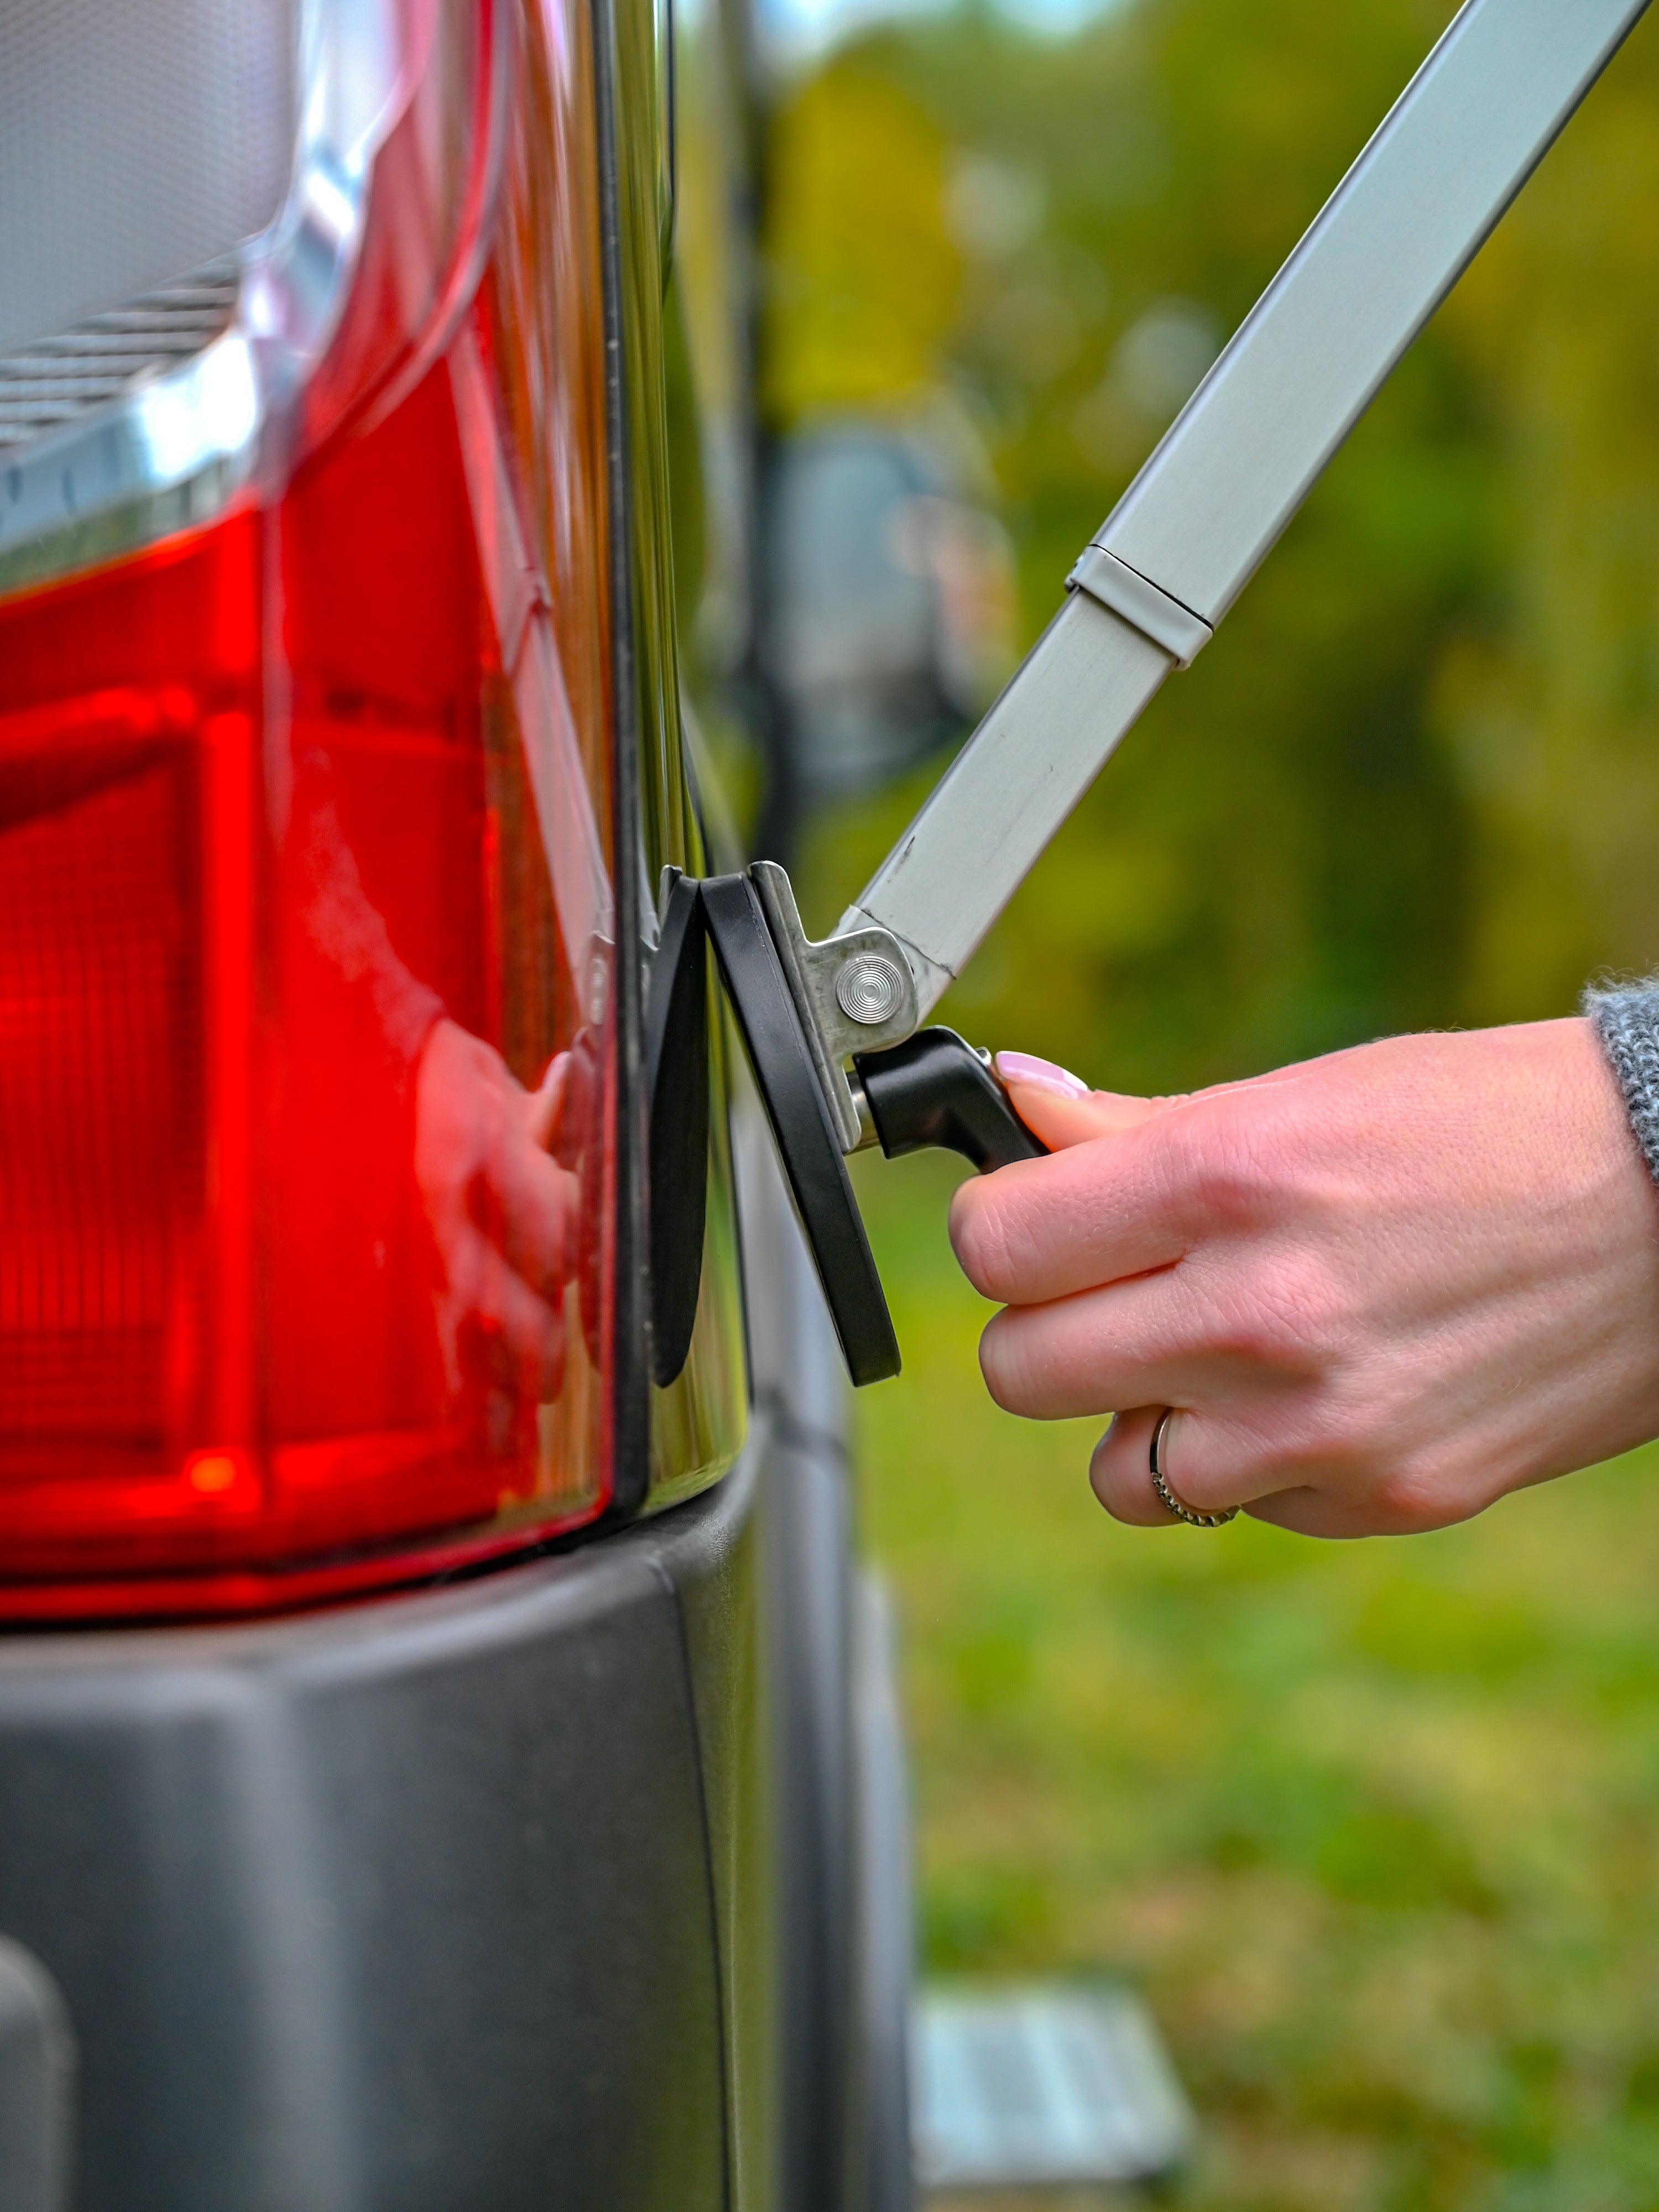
x=1238 y=463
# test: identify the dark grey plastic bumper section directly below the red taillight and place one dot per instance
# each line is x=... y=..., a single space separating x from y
x=406 y=1906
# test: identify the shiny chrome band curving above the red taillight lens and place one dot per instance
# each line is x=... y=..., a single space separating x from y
x=105 y=463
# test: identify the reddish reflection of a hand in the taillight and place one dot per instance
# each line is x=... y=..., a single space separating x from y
x=503 y=1215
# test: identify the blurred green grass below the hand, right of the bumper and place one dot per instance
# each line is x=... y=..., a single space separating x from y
x=1373 y=1826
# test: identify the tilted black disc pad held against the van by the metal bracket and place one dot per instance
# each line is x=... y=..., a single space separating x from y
x=802 y=1125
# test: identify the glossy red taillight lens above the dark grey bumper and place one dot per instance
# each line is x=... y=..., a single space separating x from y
x=306 y=1045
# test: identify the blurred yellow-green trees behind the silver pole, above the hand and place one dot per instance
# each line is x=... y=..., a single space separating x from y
x=1417 y=780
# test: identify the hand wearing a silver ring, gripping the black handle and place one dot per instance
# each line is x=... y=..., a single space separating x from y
x=1381 y=1288
